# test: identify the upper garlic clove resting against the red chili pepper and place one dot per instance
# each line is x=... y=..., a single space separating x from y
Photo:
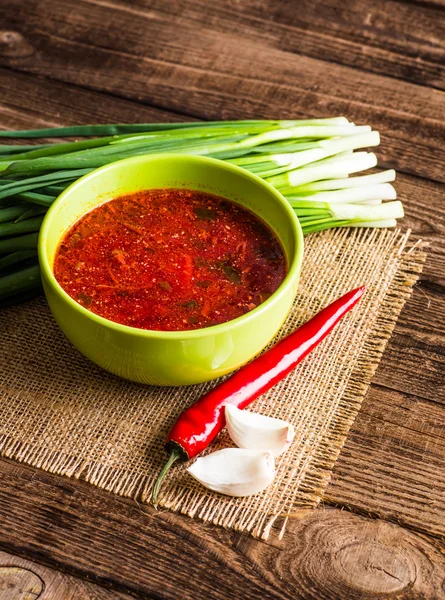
x=258 y=432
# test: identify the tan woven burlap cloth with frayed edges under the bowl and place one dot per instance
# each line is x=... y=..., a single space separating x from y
x=61 y=413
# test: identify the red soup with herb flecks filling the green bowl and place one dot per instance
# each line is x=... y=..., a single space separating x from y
x=170 y=260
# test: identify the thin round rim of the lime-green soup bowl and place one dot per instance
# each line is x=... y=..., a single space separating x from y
x=294 y=267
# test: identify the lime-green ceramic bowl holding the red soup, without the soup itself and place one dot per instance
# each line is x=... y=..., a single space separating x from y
x=164 y=357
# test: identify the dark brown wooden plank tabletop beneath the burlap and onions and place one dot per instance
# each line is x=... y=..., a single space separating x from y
x=380 y=529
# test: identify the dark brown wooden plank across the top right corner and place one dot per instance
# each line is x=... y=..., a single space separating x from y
x=386 y=37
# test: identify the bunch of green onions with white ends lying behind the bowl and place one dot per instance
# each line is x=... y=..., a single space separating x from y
x=309 y=162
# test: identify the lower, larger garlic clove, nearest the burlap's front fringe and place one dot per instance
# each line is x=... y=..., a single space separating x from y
x=234 y=471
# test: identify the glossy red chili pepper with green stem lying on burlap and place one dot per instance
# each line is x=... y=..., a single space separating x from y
x=198 y=425
